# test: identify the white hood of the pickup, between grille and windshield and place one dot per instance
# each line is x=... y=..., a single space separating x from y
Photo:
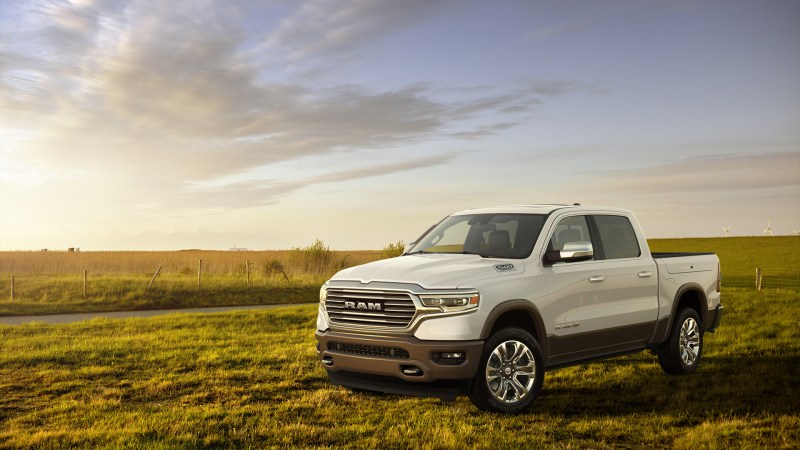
x=432 y=271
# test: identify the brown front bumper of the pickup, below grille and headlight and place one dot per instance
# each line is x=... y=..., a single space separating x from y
x=407 y=359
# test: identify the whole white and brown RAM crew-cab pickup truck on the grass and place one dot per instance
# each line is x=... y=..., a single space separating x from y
x=489 y=299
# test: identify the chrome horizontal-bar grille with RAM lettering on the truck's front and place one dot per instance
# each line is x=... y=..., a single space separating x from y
x=369 y=307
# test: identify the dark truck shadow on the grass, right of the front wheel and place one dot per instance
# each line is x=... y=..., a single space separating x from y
x=722 y=385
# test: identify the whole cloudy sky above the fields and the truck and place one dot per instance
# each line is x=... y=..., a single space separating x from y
x=152 y=125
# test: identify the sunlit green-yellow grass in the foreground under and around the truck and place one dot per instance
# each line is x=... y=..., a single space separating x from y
x=251 y=379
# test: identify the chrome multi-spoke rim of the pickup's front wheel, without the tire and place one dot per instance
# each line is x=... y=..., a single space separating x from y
x=510 y=372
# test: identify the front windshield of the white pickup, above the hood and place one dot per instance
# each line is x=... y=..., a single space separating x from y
x=488 y=235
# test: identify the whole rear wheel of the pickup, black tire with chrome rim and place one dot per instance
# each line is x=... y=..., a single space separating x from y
x=680 y=354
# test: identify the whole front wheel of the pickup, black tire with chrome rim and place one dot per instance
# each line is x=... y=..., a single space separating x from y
x=510 y=374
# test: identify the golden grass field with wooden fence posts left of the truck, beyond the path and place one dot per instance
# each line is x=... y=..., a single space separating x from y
x=53 y=282
